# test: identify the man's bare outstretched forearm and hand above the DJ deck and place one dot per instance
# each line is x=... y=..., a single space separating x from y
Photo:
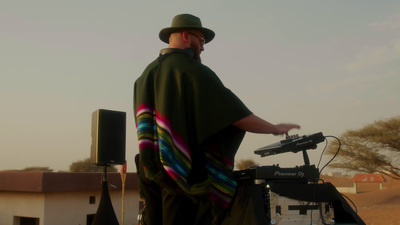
x=255 y=124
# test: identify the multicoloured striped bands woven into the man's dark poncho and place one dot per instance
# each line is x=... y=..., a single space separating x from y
x=156 y=137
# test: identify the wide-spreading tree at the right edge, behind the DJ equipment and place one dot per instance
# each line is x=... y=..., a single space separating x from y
x=373 y=148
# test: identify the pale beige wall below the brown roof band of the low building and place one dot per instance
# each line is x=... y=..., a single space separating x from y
x=64 y=208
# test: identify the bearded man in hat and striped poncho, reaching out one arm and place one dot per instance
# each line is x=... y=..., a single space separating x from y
x=189 y=129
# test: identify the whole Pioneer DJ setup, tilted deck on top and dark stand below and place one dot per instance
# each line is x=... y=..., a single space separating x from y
x=273 y=195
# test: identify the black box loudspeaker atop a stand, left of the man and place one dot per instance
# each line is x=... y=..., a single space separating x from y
x=108 y=137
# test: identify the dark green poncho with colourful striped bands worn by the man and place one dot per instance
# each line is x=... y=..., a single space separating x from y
x=184 y=117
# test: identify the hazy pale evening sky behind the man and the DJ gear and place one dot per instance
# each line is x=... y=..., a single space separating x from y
x=329 y=66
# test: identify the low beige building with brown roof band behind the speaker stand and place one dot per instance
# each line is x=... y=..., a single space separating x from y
x=47 y=198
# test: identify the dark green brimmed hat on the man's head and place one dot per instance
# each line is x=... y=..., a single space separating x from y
x=183 y=22
